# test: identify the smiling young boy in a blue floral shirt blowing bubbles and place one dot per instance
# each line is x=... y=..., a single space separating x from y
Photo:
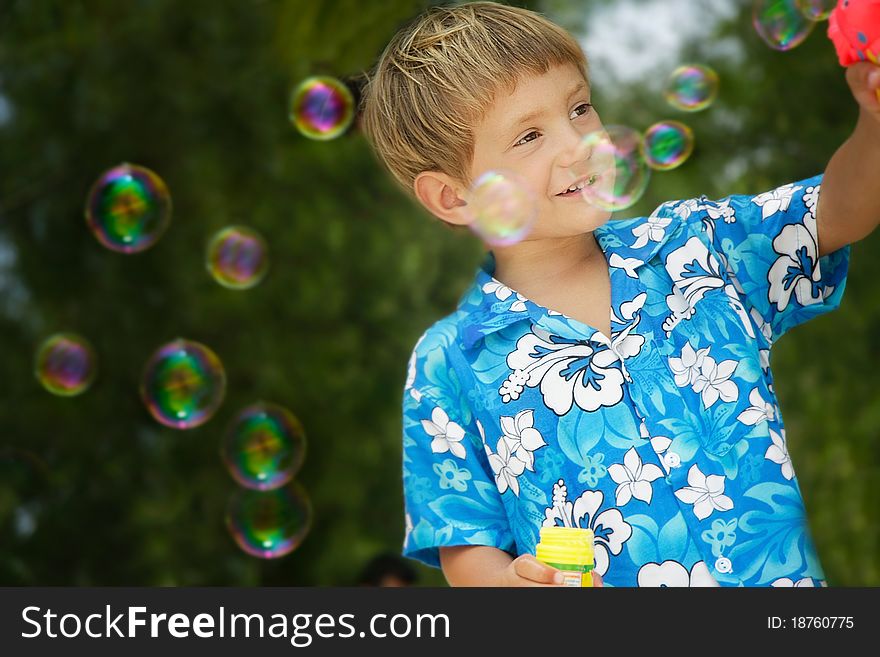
x=612 y=376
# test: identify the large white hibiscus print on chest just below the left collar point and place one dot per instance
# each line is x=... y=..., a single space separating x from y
x=566 y=371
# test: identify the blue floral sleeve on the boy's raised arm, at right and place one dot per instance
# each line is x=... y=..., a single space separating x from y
x=771 y=247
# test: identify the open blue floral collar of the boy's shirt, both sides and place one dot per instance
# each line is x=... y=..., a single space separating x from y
x=490 y=306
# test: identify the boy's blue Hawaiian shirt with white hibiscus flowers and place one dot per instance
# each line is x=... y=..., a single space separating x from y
x=665 y=438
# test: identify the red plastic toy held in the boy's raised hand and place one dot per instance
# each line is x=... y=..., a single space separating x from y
x=854 y=28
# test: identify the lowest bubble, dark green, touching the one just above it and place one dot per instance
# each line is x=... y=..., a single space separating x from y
x=269 y=524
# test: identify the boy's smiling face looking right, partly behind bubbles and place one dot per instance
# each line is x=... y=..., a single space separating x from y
x=536 y=132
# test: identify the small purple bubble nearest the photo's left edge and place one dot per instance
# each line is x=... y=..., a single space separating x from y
x=66 y=364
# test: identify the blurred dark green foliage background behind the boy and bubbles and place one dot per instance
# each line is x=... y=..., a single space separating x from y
x=94 y=492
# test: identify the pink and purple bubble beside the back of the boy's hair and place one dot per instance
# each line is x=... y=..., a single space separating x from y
x=321 y=107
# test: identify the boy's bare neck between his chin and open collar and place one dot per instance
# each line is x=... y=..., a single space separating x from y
x=542 y=263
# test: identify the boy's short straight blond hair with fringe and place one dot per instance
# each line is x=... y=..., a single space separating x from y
x=439 y=75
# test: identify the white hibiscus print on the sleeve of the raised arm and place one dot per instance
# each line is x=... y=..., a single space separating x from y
x=797 y=268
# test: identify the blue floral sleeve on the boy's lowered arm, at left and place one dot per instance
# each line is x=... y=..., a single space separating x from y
x=449 y=492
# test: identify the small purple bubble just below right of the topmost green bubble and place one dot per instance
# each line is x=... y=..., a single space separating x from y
x=237 y=258
